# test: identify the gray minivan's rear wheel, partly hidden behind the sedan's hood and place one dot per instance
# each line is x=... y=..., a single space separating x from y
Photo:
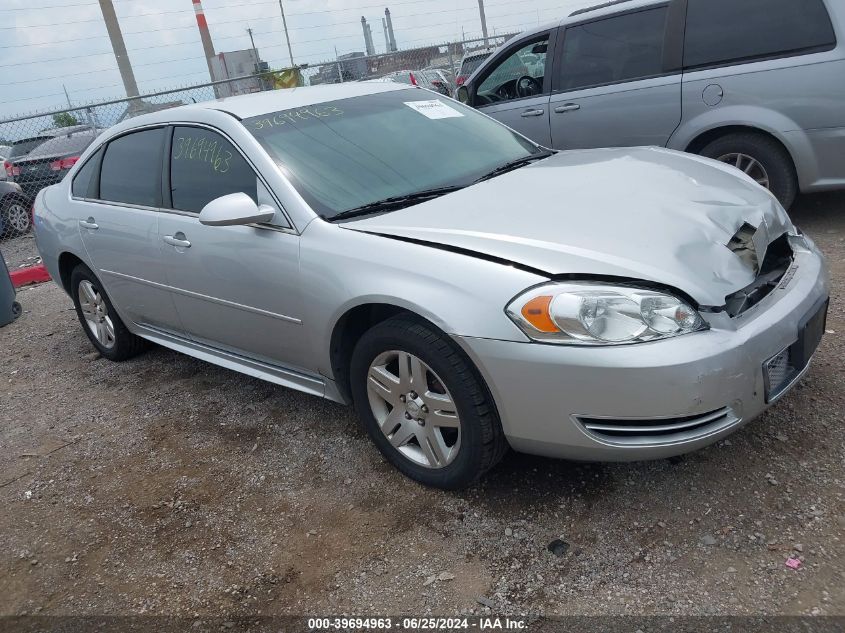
x=762 y=158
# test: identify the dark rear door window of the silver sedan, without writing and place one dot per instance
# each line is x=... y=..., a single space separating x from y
x=131 y=170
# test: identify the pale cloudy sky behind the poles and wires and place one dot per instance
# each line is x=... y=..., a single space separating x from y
x=47 y=46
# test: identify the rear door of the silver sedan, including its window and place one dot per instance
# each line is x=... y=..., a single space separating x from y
x=116 y=198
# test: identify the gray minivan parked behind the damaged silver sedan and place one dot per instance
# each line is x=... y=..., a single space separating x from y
x=758 y=84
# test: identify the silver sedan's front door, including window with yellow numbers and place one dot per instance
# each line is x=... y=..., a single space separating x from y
x=236 y=288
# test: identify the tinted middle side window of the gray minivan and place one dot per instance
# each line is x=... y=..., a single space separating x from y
x=620 y=48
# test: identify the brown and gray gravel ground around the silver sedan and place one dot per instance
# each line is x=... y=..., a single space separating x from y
x=166 y=485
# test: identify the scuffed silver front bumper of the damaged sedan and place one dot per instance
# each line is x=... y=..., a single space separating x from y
x=545 y=393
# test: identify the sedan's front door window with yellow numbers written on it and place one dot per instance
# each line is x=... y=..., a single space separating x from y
x=205 y=166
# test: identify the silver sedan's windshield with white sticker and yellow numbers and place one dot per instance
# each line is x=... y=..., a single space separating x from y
x=342 y=155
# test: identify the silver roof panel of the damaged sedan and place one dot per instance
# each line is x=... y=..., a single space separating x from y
x=258 y=103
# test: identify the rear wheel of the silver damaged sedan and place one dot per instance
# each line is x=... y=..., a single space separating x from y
x=99 y=319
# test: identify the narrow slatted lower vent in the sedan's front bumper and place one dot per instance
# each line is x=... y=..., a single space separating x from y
x=656 y=431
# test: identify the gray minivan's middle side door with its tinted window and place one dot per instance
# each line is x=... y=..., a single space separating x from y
x=617 y=80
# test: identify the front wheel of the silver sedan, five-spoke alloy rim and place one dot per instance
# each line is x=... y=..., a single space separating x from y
x=424 y=405
